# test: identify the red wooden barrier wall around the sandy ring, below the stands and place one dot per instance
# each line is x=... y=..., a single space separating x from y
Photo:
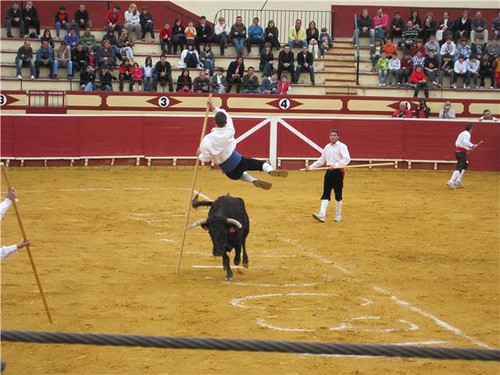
x=83 y=136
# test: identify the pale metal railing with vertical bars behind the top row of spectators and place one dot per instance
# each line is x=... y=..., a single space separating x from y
x=283 y=19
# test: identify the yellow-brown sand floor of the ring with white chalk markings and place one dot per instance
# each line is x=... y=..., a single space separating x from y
x=411 y=263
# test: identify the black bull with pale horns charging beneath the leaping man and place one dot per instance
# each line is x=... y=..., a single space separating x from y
x=228 y=225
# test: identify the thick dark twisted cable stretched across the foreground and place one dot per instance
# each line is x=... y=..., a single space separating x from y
x=372 y=350
